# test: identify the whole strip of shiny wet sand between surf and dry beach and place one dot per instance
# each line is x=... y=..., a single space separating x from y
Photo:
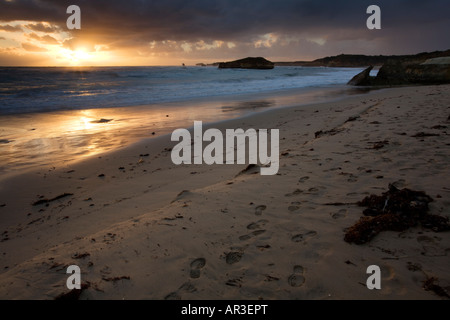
x=52 y=139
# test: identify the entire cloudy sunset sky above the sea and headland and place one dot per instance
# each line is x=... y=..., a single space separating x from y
x=171 y=32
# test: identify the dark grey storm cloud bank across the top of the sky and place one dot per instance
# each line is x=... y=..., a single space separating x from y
x=406 y=24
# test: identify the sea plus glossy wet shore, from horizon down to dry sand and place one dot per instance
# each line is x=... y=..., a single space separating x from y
x=54 y=116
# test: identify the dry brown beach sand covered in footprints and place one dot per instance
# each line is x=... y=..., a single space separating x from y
x=153 y=230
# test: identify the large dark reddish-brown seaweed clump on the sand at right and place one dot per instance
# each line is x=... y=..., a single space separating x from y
x=394 y=210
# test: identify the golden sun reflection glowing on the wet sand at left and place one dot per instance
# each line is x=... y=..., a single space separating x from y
x=57 y=137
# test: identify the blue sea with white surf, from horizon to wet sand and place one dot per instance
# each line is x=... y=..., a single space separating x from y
x=25 y=90
